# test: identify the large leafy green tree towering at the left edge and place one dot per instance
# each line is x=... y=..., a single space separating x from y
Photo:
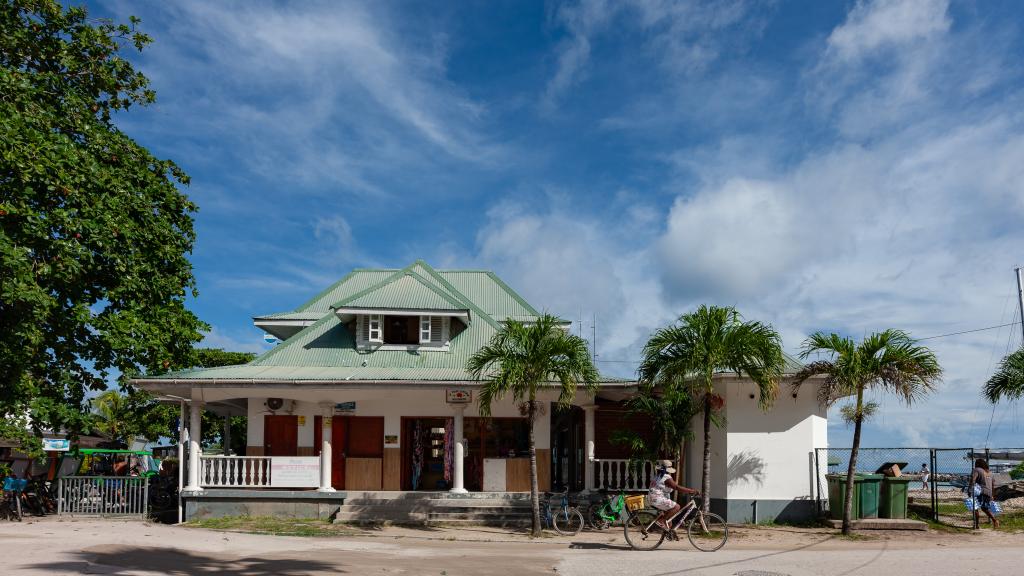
x=95 y=230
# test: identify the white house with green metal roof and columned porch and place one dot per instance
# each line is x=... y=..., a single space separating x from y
x=368 y=393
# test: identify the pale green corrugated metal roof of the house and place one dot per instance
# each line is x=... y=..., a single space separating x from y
x=327 y=351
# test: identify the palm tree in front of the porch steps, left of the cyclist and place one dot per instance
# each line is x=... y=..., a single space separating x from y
x=522 y=359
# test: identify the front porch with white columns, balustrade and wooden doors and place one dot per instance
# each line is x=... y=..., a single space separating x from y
x=357 y=440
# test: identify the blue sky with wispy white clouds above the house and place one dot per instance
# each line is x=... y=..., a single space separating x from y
x=846 y=167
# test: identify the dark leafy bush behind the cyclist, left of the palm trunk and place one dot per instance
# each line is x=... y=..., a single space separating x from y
x=671 y=414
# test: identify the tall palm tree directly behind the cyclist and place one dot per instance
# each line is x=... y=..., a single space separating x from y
x=688 y=355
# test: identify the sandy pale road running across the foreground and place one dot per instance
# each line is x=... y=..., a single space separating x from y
x=53 y=547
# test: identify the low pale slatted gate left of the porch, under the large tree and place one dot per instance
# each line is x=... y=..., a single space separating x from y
x=104 y=496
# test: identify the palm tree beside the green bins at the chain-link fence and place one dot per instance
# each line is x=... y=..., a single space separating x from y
x=889 y=361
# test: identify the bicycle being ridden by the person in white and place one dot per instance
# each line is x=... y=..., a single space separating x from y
x=706 y=531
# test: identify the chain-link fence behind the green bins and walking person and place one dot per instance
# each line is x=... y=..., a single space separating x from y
x=940 y=479
